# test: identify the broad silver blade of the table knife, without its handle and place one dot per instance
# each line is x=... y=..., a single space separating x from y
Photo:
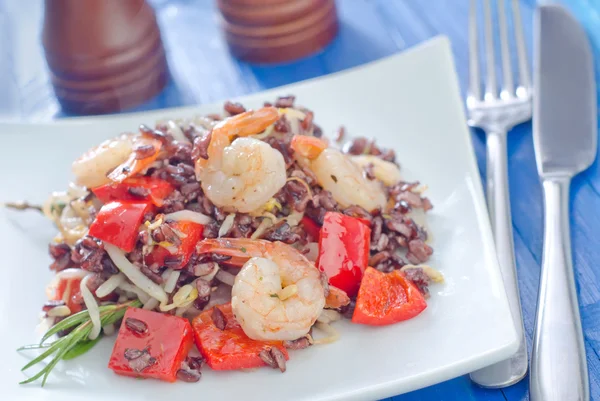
x=564 y=106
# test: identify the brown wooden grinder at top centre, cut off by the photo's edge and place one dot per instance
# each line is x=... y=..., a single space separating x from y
x=277 y=31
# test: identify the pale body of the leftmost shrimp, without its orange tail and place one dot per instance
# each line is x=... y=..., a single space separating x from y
x=92 y=167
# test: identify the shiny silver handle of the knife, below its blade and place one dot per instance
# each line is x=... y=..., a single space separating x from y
x=558 y=361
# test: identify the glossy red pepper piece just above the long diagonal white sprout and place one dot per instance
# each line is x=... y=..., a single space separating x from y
x=118 y=223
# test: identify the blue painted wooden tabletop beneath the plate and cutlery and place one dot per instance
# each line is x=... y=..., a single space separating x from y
x=203 y=71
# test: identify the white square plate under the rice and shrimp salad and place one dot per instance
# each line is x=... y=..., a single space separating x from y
x=410 y=102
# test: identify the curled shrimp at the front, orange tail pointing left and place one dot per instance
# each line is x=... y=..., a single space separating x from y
x=278 y=294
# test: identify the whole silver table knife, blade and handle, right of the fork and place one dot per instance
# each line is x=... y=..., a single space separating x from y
x=565 y=136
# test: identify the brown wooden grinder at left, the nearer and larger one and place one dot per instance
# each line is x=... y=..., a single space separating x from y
x=104 y=55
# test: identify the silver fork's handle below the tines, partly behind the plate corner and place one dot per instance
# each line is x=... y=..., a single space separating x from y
x=512 y=370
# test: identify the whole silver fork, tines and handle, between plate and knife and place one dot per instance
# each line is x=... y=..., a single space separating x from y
x=496 y=113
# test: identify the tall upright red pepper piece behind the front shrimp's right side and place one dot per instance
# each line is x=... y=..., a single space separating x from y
x=344 y=251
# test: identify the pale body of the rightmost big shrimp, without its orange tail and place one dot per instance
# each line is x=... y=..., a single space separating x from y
x=346 y=181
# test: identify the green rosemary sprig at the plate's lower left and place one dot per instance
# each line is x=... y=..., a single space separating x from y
x=76 y=342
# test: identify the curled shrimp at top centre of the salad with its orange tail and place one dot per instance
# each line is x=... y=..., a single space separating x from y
x=245 y=174
